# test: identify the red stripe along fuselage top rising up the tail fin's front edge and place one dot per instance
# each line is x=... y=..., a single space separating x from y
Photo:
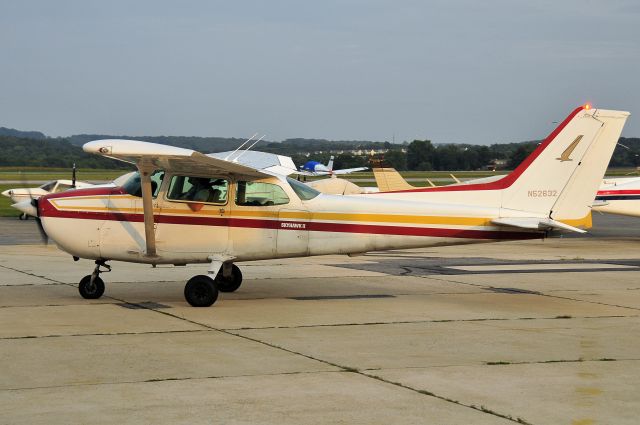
x=507 y=180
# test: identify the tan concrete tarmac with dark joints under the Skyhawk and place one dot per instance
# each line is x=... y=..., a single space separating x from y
x=537 y=332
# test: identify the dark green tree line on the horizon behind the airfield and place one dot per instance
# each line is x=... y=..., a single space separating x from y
x=419 y=155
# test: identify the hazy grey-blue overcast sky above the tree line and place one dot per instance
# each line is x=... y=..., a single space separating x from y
x=450 y=71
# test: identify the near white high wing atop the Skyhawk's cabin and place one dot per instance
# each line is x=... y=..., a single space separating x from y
x=162 y=157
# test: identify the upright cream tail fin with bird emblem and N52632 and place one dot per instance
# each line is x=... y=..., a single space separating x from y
x=561 y=177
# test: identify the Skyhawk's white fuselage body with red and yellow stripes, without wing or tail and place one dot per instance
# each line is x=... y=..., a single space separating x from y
x=108 y=223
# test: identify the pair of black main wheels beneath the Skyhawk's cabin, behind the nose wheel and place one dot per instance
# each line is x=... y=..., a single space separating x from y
x=202 y=290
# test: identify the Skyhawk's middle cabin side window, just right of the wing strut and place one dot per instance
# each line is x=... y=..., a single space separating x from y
x=211 y=190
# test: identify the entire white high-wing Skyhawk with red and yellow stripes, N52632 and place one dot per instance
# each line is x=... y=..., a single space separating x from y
x=186 y=207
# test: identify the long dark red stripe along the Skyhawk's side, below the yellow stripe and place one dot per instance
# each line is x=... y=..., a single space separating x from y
x=310 y=226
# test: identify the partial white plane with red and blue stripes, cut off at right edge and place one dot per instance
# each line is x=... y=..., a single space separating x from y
x=619 y=196
